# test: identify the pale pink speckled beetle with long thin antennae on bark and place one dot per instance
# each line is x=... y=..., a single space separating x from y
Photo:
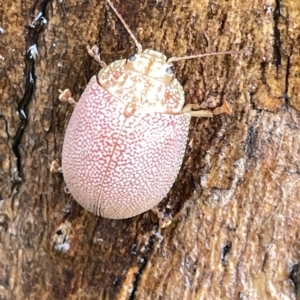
x=125 y=141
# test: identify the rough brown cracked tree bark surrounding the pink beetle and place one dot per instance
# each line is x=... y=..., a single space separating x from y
x=236 y=201
